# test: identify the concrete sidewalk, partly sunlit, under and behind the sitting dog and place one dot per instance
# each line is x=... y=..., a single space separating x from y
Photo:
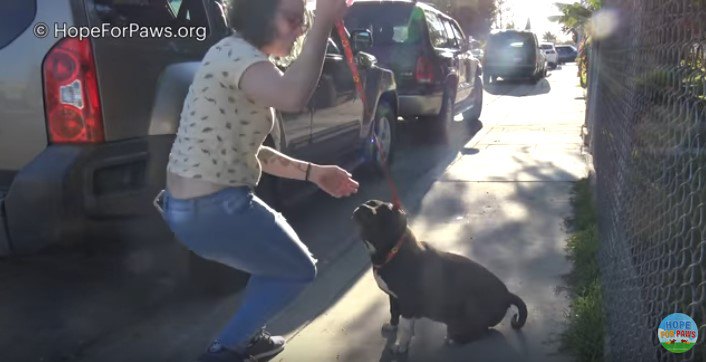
x=502 y=202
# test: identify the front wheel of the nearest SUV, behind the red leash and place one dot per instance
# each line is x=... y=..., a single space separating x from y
x=384 y=130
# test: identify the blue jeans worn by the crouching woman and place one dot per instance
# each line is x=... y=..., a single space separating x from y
x=234 y=227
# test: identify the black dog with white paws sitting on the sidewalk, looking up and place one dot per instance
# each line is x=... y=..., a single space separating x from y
x=423 y=282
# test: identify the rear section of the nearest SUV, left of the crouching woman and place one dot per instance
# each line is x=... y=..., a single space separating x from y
x=86 y=123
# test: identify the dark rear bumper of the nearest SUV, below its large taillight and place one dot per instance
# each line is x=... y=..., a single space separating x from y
x=68 y=189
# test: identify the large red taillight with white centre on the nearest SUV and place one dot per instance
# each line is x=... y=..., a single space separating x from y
x=71 y=97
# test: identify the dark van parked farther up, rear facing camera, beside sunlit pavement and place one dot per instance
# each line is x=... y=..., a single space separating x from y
x=513 y=54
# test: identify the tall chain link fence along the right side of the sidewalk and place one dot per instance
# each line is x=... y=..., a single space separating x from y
x=647 y=125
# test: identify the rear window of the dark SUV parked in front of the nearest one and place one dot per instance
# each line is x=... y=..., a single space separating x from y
x=389 y=24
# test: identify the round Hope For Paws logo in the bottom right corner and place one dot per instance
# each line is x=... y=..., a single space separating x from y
x=678 y=333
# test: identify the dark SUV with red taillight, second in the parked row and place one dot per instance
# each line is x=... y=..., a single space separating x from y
x=437 y=76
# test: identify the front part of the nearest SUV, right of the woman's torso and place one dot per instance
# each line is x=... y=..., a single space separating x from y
x=337 y=127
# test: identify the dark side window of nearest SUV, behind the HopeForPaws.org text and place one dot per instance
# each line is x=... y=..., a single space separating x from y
x=152 y=13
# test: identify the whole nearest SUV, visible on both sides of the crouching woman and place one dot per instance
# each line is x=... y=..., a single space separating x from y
x=86 y=126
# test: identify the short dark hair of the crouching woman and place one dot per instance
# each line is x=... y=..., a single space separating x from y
x=254 y=20
